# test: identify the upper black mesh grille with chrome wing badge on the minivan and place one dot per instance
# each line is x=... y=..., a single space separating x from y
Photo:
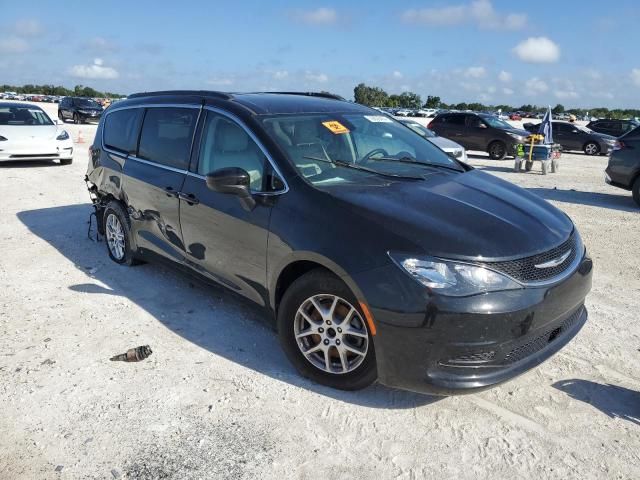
x=525 y=270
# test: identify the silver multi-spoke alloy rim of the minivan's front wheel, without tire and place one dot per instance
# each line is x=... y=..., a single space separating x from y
x=331 y=334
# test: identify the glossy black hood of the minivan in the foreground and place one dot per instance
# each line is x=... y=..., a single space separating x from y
x=464 y=216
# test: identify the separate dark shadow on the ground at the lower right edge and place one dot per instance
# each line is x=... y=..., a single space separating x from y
x=614 y=401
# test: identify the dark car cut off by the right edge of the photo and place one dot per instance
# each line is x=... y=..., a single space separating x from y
x=623 y=170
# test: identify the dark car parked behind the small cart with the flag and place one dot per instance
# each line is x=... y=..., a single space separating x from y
x=575 y=137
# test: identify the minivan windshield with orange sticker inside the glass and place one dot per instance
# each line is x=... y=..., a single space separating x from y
x=377 y=142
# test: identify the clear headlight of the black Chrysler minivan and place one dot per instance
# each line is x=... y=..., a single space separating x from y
x=452 y=278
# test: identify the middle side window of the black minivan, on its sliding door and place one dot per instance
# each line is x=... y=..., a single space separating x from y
x=166 y=136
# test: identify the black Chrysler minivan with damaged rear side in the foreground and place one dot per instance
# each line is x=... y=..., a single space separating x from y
x=379 y=256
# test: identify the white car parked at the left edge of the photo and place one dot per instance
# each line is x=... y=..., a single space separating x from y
x=28 y=133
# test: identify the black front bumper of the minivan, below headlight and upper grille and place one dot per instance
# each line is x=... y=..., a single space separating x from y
x=446 y=345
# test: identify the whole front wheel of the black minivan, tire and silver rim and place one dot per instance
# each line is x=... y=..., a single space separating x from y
x=329 y=362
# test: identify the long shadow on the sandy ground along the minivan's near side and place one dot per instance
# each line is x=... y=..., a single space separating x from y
x=210 y=317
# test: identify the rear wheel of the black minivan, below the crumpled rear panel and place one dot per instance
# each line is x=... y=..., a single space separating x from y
x=117 y=228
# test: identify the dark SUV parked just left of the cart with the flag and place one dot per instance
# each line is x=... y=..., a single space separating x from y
x=479 y=131
